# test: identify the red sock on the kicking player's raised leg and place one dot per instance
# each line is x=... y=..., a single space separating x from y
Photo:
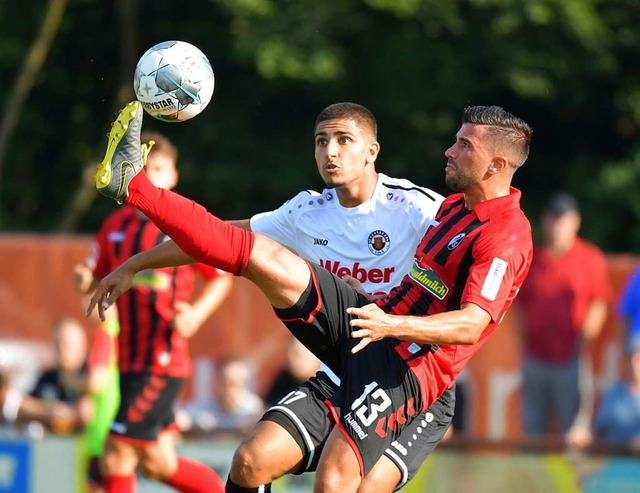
x=197 y=232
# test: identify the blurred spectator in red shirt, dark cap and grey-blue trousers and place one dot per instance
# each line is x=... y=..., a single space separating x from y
x=563 y=307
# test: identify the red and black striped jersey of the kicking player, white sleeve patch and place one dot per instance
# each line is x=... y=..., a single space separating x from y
x=478 y=256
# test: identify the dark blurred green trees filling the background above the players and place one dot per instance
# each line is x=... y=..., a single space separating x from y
x=569 y=67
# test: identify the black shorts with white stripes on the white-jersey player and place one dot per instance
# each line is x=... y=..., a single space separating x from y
x=304 y=415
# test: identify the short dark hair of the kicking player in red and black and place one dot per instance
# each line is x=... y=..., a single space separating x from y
x=512 y=131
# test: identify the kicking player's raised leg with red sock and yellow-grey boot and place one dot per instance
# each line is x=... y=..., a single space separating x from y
x=281 y=275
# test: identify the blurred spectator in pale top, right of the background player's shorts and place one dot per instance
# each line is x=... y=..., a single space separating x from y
x=234 y=407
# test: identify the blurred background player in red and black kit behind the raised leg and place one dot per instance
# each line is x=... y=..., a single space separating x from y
x=156 y=320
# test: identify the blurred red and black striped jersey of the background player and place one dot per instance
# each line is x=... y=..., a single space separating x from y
x=147 y=341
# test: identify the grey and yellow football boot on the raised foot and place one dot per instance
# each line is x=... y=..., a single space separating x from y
x=124 y=157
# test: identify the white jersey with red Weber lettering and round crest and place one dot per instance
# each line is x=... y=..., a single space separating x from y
x=374 y=242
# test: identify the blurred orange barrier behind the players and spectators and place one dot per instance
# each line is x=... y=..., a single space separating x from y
x=36 y=290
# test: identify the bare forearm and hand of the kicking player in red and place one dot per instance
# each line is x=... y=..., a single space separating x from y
x=462 y=326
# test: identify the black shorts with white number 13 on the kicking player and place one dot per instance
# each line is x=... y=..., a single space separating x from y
x=379 y=395
